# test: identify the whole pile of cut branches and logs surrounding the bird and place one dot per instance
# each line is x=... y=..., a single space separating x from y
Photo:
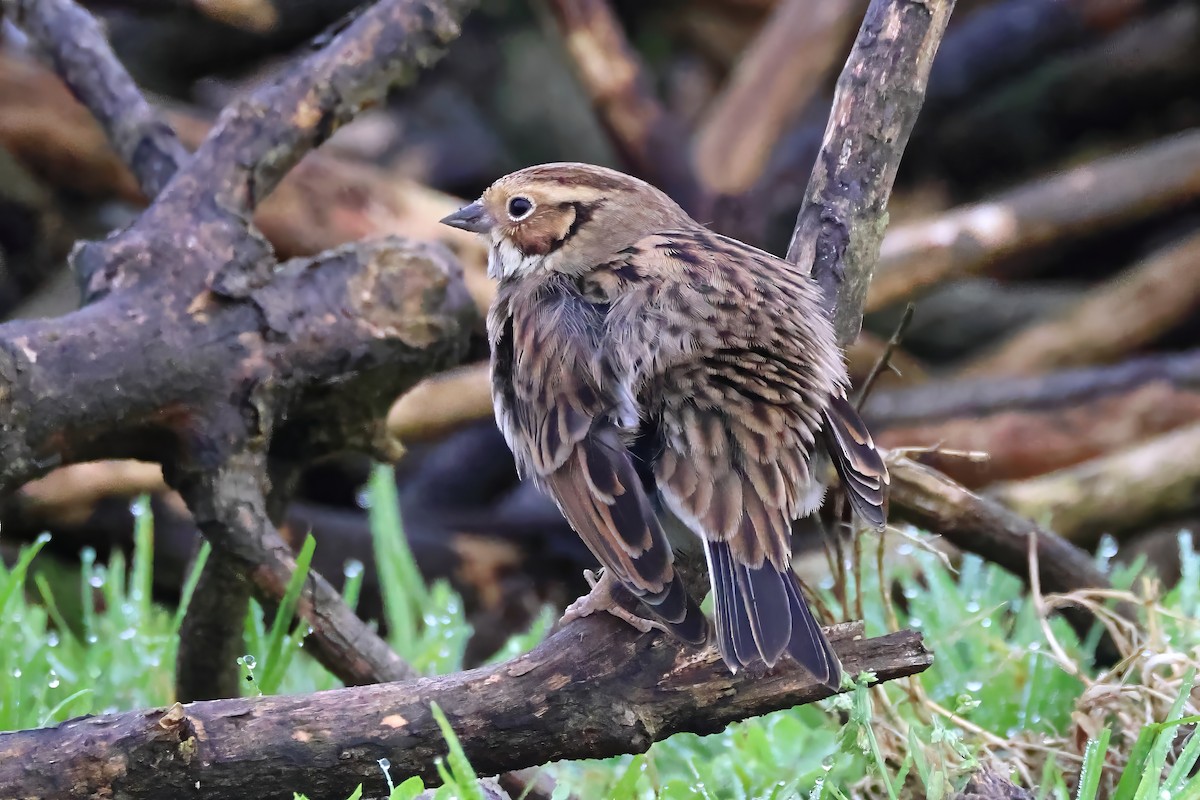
x=248 y=323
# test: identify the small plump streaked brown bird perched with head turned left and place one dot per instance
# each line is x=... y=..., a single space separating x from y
x=671 y=389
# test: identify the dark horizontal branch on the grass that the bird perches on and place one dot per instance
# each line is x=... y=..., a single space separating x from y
x=592 y=690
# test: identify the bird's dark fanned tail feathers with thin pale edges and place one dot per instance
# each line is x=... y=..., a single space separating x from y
x=761 y=613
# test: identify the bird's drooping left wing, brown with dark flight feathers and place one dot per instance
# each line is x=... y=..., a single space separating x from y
x=561 y=408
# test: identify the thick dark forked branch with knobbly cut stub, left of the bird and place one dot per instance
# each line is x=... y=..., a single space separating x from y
x=199 y=351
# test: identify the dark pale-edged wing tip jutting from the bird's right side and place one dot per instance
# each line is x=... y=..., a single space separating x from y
x=865 y=477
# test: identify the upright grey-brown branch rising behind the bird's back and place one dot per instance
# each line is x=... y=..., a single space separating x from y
x=875 y=106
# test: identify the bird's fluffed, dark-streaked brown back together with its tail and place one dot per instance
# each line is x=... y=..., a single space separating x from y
x=741 y=396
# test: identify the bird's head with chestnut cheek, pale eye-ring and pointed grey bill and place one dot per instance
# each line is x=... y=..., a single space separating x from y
x=565 y=218
